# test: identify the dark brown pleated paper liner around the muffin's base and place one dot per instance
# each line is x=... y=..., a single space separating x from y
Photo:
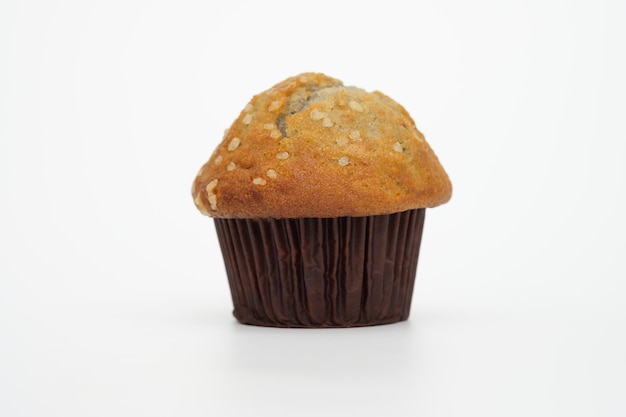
x=318 y=272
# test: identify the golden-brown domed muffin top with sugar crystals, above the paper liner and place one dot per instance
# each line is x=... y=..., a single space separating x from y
x=311 y=147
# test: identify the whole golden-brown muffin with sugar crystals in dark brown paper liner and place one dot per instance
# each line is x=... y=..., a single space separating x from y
x=318 y=193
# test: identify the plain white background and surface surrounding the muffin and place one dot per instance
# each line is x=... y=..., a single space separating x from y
x=113 y=296
